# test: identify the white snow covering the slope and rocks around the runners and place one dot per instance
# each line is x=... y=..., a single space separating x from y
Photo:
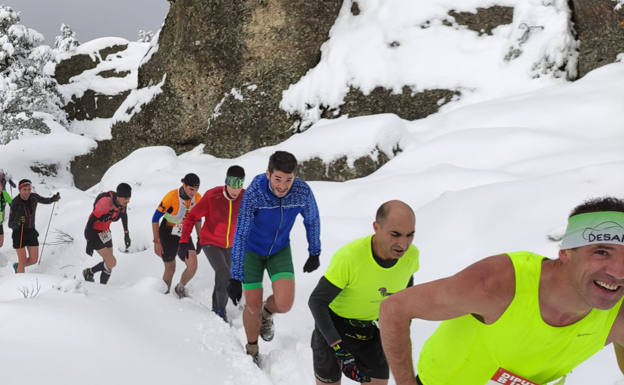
x=493 y=174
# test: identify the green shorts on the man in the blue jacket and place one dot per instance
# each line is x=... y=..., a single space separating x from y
x=278 y=265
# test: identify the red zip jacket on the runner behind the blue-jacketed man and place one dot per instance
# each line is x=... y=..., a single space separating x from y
x=220 y=215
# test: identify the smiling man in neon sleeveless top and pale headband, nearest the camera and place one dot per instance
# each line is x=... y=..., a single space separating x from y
x=517 y=315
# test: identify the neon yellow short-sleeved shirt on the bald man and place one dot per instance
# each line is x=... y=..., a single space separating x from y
x=363 y=282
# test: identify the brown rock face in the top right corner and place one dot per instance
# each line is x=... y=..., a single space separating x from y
x=600 y=30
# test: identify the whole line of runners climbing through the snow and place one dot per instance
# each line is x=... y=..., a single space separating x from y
x=516 y=317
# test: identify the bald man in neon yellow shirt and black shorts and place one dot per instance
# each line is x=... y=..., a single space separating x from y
x=345 y=303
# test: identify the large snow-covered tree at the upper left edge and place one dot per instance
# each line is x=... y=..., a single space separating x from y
x=28 y=93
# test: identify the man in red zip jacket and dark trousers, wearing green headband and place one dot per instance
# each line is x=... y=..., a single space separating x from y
x=219 y=206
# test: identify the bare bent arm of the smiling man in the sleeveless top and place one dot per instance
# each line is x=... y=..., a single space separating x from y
x=484 y=289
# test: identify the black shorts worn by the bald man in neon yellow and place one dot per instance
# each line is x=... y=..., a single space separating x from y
x=363 y=342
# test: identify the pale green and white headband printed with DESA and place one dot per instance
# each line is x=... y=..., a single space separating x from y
x=592 y=228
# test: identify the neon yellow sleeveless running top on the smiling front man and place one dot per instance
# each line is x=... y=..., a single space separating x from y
x=466 y=351
